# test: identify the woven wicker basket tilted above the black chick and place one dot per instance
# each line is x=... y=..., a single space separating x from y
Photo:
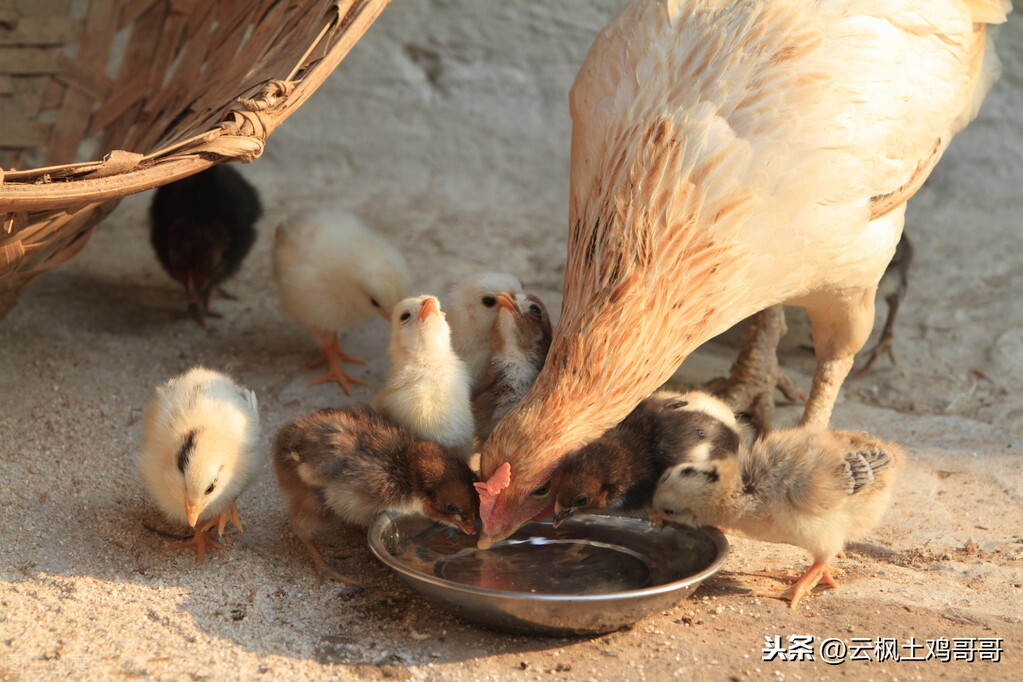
x=156 y=90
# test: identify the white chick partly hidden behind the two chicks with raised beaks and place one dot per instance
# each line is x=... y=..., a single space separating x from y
x=472 y=309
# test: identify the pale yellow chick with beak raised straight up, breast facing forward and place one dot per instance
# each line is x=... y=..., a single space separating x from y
x=427 y=391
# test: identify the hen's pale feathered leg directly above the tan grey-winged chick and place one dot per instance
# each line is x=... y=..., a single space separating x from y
x=841 y=324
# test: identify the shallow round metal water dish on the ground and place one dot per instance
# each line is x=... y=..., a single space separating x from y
x=591 y=575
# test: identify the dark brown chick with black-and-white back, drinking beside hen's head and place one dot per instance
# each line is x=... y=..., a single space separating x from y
x=620 y=470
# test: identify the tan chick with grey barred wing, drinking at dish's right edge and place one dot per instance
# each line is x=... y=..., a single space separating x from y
x=809 y=487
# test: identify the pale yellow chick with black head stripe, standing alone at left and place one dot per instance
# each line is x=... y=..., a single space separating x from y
x=199 y=452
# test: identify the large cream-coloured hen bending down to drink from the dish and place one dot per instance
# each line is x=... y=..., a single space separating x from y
x=727 y=157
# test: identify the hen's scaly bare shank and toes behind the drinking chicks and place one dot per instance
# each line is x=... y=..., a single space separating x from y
x=755 y=375
